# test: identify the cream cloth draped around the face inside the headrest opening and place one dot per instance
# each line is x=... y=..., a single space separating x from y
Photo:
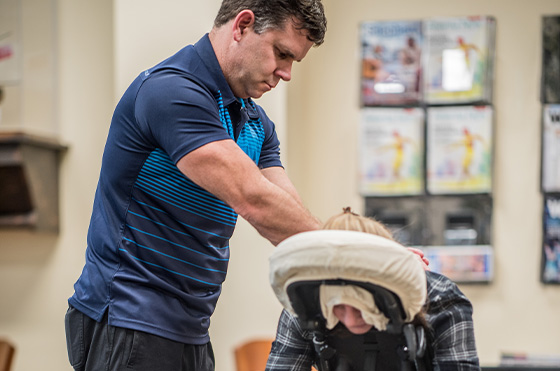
x=357 y=297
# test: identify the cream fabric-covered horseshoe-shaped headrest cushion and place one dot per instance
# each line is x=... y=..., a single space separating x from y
x=350 y=255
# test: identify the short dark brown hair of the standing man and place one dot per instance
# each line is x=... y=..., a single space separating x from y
x=309 y=15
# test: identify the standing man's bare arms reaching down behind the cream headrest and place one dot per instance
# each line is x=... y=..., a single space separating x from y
x=266 y=199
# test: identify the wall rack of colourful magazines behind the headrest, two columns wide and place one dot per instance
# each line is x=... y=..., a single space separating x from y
x=427 y=133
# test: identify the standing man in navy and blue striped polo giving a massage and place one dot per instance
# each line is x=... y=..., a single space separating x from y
x=187 y=151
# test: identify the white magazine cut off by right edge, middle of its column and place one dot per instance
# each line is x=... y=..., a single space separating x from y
x=551 y=148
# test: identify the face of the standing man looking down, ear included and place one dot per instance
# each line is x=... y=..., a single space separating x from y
x=261 y=61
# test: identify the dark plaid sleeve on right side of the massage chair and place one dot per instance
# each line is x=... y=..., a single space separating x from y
x=450 y=316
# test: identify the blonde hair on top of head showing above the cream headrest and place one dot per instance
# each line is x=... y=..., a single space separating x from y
x=350 y=221
